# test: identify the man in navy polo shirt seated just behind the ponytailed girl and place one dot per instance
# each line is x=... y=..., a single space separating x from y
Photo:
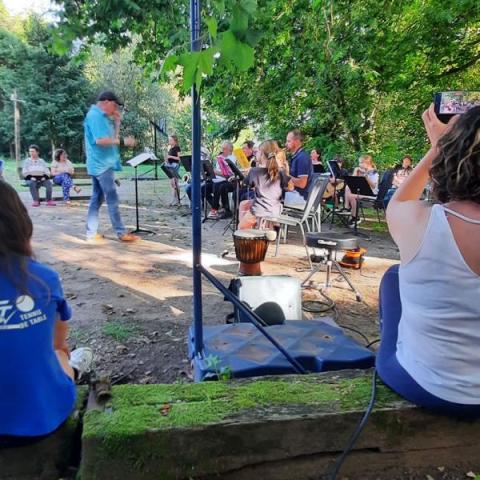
x=301 y=169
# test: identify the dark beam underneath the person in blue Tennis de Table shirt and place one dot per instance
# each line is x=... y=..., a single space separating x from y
x=50 y=458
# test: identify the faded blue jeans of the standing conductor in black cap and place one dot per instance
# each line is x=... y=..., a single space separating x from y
x=104 y=188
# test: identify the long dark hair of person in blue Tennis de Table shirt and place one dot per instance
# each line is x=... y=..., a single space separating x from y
x=15 y=235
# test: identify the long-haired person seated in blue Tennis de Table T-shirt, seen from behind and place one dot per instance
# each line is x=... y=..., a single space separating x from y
x=37 y=370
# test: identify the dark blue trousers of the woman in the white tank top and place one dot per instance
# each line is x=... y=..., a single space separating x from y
x=390 y=371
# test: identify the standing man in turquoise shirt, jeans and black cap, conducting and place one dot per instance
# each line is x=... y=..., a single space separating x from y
x=102 y=141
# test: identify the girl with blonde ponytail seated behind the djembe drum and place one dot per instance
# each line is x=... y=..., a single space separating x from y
x=269 y=182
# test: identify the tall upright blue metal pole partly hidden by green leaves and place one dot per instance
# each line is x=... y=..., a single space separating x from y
x=196 y=186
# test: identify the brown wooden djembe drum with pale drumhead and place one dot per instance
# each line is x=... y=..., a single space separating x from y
x=250 y=249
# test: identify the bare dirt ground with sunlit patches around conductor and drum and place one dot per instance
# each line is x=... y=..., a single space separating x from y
x=133 y=303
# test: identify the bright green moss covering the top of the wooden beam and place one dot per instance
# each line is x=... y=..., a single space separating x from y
x=142 y=408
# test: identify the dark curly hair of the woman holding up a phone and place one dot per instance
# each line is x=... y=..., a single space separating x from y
x=455 y=171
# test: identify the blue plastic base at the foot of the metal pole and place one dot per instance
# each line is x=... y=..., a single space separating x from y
x=319 y=347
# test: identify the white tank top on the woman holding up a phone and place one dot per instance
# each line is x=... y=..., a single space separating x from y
x=439 y=331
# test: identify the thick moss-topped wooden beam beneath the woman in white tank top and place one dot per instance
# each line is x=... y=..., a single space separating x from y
x=290 y=427
